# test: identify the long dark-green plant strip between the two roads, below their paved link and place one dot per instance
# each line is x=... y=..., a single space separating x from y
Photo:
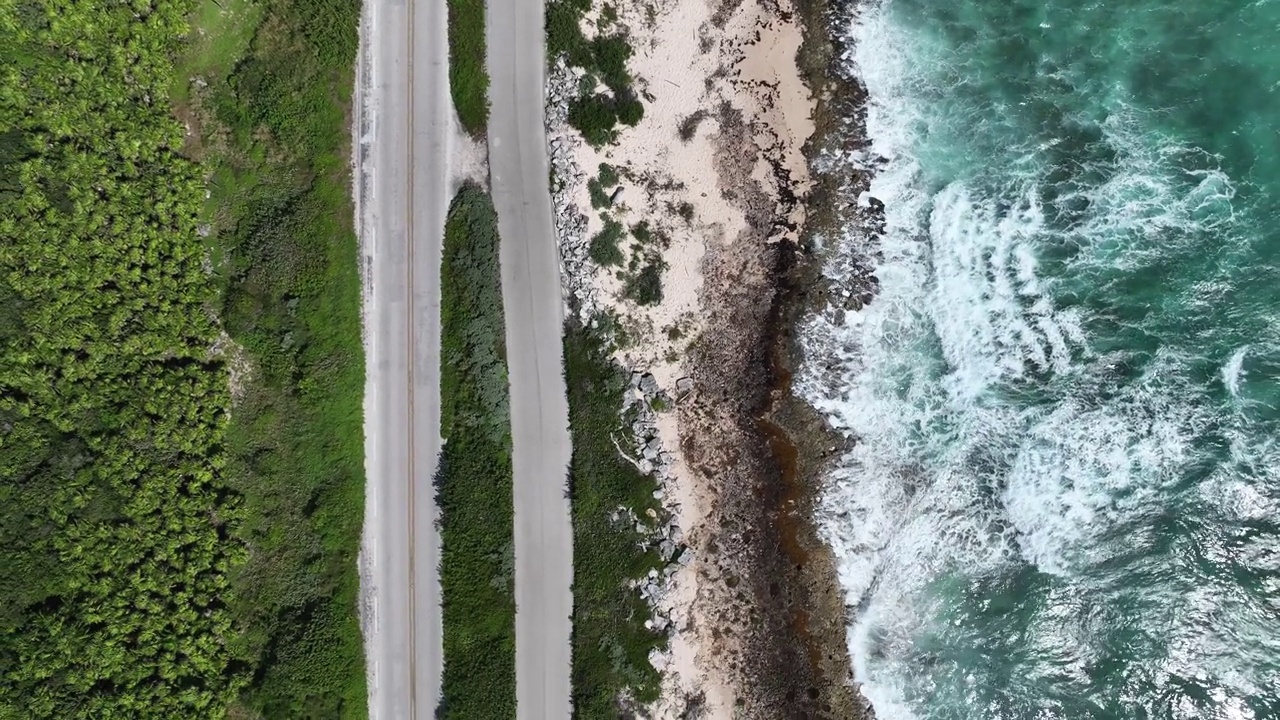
x=474 y=480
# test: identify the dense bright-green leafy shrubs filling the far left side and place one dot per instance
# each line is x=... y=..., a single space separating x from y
x=118 y=527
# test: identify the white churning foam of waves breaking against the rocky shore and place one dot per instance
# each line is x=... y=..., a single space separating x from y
x=947 y=475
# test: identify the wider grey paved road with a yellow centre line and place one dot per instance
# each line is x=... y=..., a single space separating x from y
x=406 y=202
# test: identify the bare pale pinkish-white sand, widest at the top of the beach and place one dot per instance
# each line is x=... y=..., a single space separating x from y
x=687 y=65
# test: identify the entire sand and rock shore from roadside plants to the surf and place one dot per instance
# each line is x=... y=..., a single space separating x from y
x=748 y=595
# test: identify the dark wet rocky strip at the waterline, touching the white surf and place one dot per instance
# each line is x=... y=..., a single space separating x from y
x=806 y=290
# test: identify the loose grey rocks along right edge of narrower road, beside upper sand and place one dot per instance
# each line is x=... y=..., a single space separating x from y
x=577 y=268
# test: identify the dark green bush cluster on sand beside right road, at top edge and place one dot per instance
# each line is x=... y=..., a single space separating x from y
x=605 y=58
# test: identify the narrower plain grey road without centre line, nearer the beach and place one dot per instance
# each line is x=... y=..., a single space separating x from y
x=540 y=412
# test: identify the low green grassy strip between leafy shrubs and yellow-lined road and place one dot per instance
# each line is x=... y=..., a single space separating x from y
x=275 y=139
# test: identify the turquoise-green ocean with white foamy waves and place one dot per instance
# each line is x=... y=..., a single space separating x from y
x=1064 y=498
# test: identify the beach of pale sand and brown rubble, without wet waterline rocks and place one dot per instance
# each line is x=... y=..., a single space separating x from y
x=717 y=170
